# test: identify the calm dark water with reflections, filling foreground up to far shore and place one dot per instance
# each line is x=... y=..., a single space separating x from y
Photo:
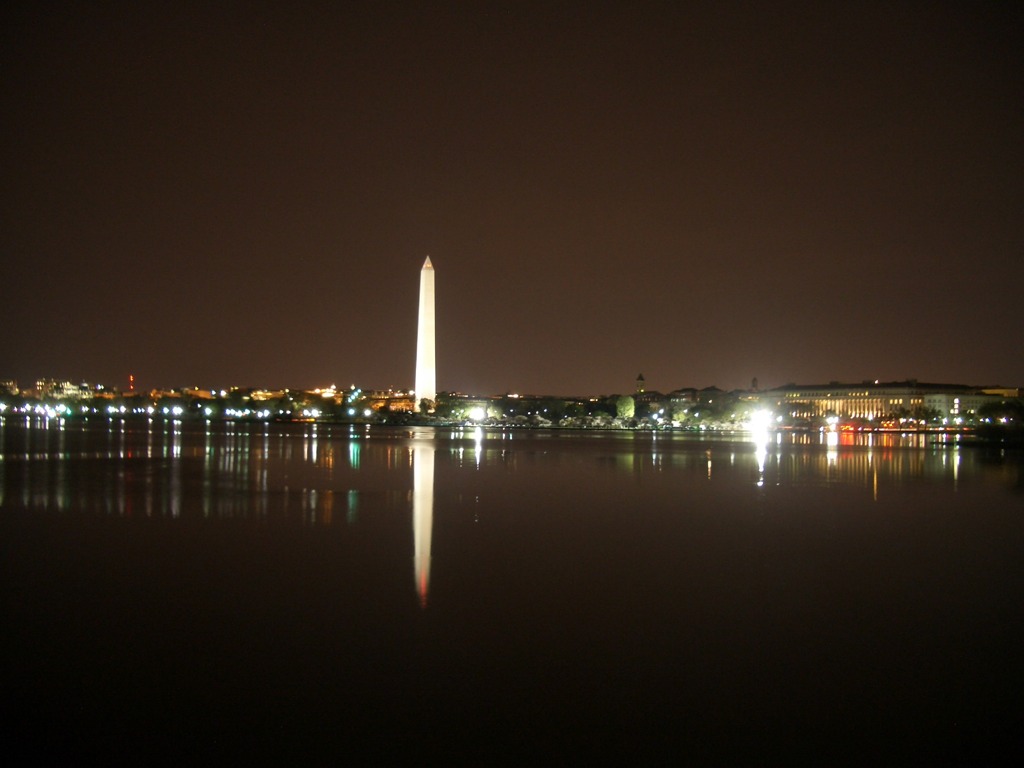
x=313 y=594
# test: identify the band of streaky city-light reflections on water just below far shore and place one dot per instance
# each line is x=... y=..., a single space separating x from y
x=240 y=471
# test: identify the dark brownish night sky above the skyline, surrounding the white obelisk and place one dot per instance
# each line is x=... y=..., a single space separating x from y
x=211 y=195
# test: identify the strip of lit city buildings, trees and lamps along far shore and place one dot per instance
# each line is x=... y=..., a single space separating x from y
x=330 y=403
